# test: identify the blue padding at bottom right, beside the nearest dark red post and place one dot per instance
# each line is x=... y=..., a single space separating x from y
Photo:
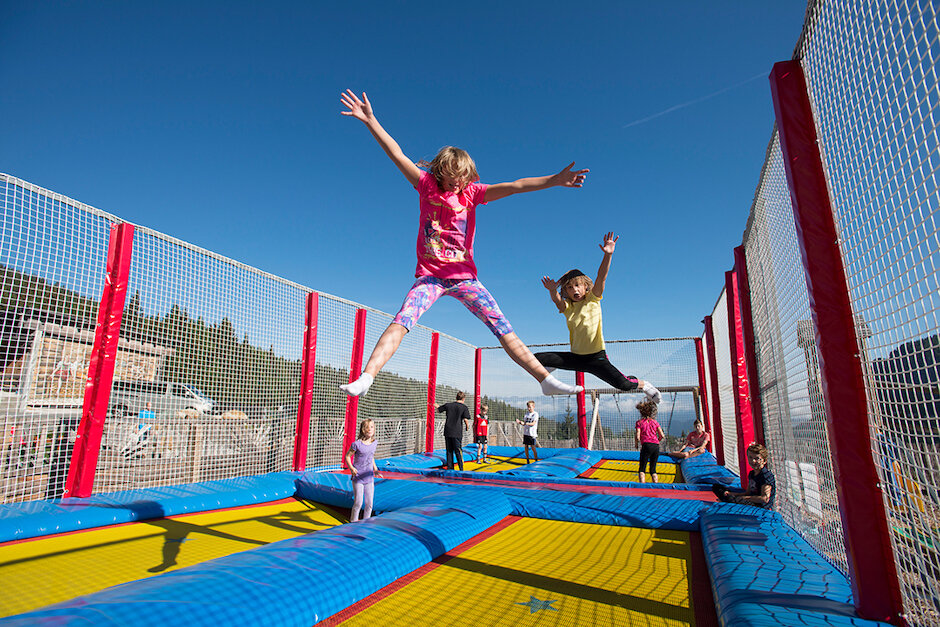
x=764 y=573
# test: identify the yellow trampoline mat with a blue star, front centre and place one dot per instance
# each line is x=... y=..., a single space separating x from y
x=551 y=573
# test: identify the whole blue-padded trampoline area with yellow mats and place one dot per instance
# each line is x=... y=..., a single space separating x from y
x=535 y=544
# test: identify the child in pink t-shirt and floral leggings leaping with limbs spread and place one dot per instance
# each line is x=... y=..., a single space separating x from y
x=448 y=197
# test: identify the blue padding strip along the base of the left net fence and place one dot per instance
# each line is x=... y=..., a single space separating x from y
x=19 y=521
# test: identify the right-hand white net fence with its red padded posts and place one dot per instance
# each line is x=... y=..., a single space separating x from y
x=836 y=284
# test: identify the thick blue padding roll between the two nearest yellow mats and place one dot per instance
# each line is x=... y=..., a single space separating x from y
x=299 y=581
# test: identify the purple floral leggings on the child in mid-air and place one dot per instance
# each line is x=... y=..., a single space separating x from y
x=470 y=292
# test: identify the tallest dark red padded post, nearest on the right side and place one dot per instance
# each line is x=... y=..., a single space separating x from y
x=872 y=569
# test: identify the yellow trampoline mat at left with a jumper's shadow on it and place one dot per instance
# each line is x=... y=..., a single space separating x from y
x=38 y=572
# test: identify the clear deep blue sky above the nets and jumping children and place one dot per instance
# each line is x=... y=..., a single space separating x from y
x=218 y=123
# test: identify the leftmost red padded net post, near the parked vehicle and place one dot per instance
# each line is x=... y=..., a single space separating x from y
x=84 y=462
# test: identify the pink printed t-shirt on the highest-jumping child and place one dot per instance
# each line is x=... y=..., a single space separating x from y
x=445 y=229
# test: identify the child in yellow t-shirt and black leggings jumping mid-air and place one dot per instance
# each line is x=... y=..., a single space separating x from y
x=578 y=298
